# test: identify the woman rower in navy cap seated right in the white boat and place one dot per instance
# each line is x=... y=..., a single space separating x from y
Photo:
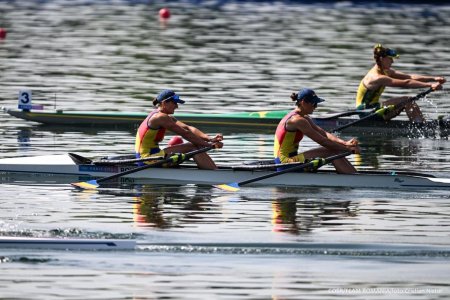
x=297 y=123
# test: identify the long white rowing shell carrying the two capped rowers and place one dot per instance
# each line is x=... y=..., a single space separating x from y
x=65 y=164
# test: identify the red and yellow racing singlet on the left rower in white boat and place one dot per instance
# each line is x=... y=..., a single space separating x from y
x=147 y=139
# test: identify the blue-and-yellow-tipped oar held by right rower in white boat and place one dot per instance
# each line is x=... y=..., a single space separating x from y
x=316 y=163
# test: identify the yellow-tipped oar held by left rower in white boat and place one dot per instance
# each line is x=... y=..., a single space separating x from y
x=176 y=159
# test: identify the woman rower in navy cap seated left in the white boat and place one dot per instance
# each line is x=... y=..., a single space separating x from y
x=151 y=132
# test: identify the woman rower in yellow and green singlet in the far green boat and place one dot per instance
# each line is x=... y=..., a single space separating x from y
x=382 y=75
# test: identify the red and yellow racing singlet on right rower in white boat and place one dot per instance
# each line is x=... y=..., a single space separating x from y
x=285 y=148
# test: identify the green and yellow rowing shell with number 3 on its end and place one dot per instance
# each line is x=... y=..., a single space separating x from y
x=241 y=121
